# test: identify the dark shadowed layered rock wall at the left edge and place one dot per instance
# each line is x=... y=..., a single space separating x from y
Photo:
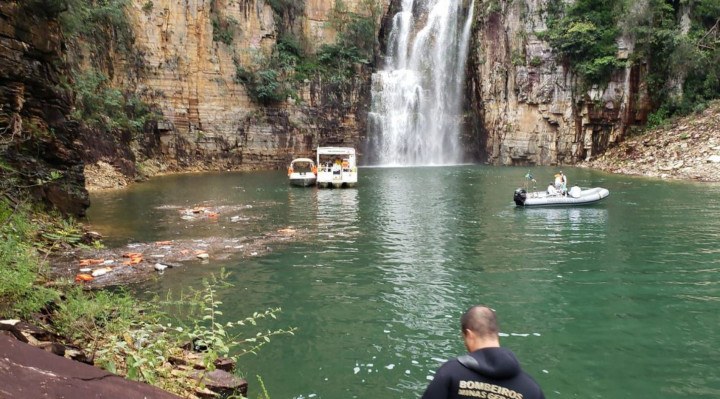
x=36 y=137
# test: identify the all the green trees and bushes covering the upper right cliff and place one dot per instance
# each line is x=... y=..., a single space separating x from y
x=683 y=62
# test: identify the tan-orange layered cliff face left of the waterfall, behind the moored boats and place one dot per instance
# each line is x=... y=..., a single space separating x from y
x=208 y=117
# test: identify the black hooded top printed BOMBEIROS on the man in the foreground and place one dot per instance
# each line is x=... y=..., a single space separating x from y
x=490 y=373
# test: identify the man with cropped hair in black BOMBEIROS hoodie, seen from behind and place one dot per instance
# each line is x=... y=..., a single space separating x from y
x=488 y=370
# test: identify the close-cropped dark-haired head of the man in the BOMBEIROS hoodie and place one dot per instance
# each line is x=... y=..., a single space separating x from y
x=479 y=328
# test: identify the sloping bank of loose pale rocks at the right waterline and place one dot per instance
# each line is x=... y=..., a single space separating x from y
x=683 y=149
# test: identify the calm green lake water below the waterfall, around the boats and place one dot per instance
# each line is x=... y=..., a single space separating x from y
x=616 y=300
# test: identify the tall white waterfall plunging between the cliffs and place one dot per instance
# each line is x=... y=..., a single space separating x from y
x=417 y=97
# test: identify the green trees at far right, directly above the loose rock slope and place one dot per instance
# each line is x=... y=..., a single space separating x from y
x=683 y=69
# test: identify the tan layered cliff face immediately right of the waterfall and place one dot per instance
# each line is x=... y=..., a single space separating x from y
x=524 y=106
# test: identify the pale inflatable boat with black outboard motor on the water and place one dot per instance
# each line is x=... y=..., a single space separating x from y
x=552 y=197
